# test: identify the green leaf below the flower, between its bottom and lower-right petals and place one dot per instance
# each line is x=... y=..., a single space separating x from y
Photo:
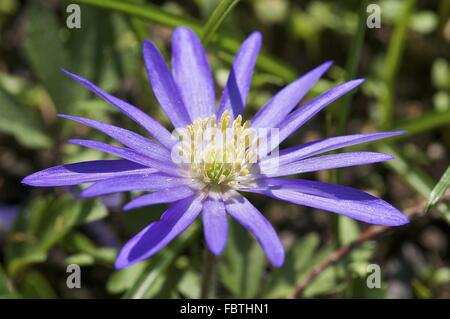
x=241 y=266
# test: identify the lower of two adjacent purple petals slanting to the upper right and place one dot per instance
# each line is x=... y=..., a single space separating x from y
x=312 y=107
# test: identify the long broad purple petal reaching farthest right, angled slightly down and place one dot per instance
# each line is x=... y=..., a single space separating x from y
x=334 y=198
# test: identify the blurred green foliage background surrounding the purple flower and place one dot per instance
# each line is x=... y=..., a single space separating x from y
x=405 y=62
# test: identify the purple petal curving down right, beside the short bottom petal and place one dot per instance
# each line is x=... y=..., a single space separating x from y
x=247 y=215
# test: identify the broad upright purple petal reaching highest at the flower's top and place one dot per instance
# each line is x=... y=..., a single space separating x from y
x=192 y=74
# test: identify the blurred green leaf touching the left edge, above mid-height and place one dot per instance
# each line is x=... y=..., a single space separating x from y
x=21 y=122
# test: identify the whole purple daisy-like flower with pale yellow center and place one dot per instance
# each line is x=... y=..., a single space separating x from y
x=201 y=178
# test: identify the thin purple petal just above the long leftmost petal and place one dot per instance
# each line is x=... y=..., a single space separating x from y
x=128 y=154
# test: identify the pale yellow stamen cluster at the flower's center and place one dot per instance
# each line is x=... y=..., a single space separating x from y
x=218 y=152
